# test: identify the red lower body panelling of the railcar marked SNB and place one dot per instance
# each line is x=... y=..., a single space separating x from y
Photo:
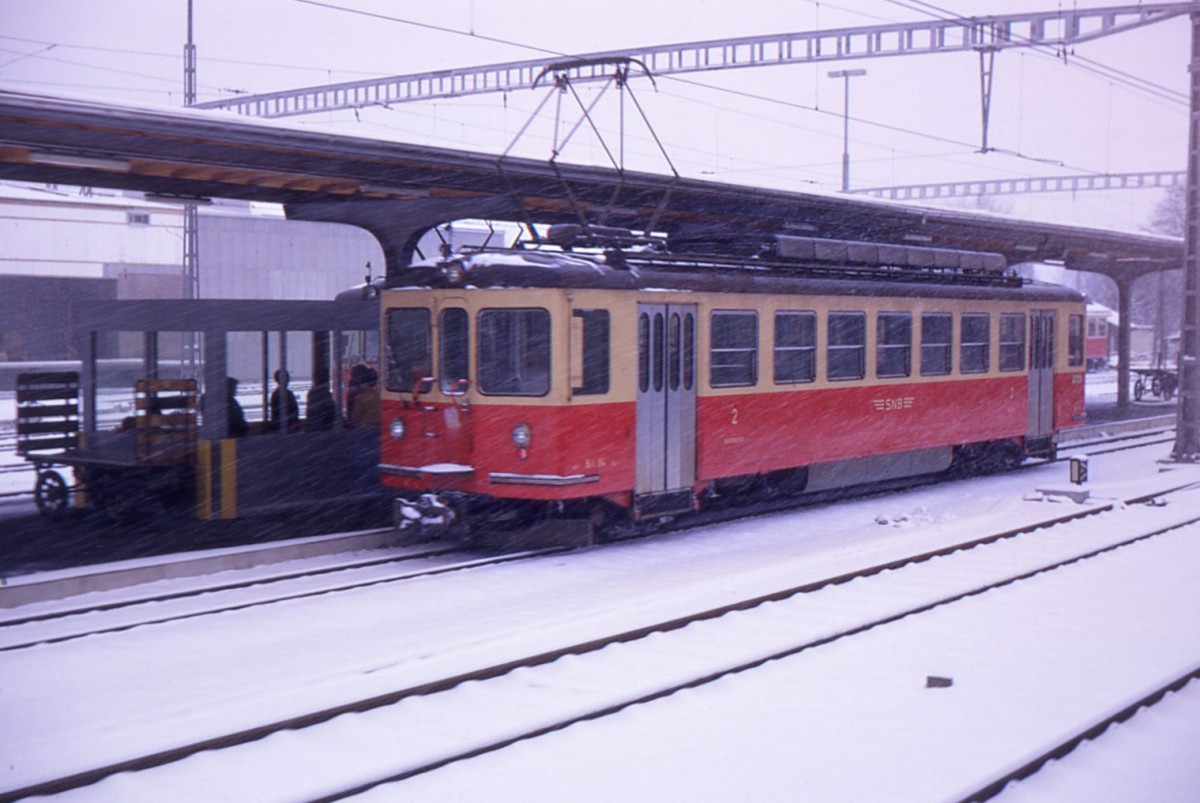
x=585 y=451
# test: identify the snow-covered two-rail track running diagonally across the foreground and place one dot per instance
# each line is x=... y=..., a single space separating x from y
x=979 y=568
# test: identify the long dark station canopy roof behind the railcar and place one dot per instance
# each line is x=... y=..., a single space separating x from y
x=399 y=191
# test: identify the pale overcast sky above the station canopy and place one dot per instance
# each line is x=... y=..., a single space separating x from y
x=915 y=119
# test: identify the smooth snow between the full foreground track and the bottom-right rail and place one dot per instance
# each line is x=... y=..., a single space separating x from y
x=855 y=720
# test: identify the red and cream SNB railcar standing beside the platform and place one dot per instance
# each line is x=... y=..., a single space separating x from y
x=653 y=383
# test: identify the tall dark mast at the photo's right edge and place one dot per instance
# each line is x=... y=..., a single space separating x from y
x=1187 y=440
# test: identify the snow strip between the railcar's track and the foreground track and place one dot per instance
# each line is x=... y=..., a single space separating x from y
x=226 y=672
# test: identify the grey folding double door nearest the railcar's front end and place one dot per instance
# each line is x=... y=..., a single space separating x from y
x=667 y=408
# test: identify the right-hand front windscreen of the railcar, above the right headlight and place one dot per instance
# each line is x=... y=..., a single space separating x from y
x=514 y=352
